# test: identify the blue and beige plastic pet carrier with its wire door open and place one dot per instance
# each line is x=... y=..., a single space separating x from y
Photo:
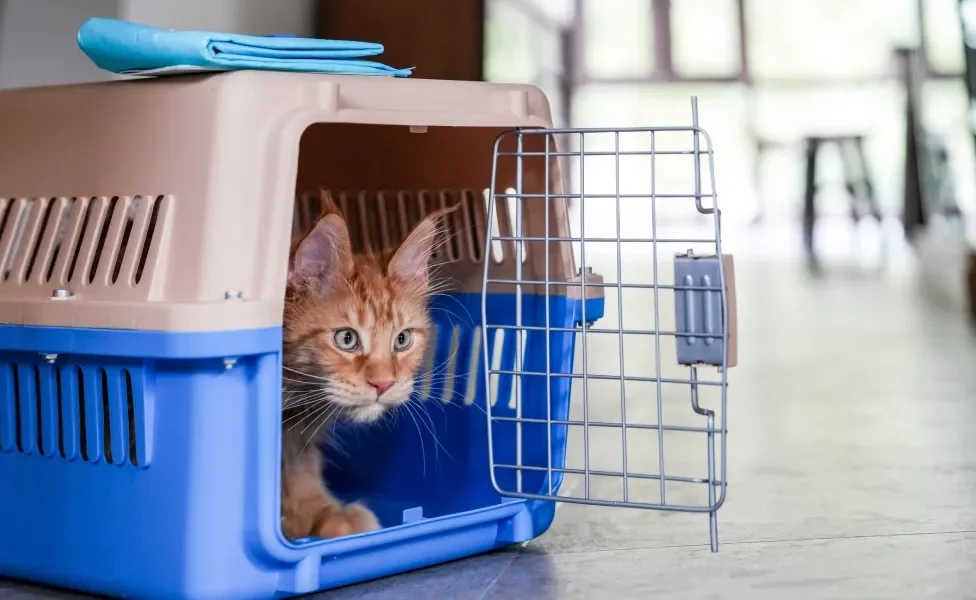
x=144 y=234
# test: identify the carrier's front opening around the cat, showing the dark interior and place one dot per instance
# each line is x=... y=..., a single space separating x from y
x=428 y=457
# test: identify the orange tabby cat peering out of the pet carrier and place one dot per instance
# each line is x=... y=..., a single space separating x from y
x=355 y=332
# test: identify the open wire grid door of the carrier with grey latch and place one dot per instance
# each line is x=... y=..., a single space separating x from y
x=608 y=313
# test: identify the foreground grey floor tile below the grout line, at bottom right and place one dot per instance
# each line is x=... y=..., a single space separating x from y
x=911 y=566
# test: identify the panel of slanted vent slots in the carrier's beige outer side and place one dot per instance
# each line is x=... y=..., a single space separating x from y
x=80 y=240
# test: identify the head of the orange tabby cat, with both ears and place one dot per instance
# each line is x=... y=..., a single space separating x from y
x=356 y=326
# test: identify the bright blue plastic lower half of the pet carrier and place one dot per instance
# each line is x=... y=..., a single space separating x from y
x=193 y=513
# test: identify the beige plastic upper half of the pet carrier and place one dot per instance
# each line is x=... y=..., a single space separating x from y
x=167 y=204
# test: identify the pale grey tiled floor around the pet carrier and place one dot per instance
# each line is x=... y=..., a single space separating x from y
x=852 y=469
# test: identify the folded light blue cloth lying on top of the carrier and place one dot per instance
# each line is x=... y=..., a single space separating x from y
x=133 y=49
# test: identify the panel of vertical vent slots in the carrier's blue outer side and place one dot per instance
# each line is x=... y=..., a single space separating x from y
x=95 y=414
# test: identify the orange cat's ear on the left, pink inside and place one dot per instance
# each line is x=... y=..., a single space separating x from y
x=324 y=252
